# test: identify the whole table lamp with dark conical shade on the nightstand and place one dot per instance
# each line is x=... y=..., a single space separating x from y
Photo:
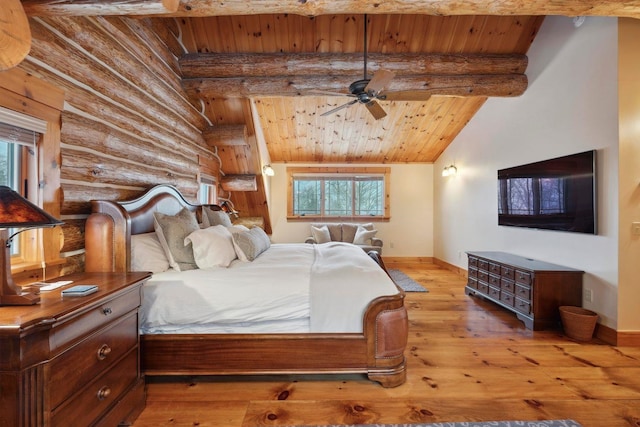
x=17 y=212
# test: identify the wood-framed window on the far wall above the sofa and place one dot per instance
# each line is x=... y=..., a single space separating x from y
x=338 y=193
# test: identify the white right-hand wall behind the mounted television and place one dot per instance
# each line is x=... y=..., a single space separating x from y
x=570 y=106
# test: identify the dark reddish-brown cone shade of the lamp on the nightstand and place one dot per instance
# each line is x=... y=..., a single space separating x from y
x=16 y=211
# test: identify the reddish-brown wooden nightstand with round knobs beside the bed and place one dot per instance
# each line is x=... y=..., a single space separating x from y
x=74 y=361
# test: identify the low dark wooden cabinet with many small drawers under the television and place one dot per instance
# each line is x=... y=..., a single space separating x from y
x=532 y=289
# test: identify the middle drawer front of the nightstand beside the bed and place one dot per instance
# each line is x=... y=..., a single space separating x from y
x=73 y=369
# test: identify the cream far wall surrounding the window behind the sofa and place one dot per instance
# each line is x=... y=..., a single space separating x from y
x=410 y=229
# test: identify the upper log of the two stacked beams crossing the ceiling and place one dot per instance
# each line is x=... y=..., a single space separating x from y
x=296 y=64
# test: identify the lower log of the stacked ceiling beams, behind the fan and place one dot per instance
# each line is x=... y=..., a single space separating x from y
x=466 y=85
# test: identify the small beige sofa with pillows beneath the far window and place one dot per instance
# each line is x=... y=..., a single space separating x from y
x=362 y=235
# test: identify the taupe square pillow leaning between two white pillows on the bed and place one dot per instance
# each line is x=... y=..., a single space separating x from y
x=172 y=230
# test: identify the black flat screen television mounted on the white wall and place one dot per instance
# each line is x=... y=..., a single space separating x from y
x=555 y=194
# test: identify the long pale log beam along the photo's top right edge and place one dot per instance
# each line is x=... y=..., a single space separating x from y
x=428 y=7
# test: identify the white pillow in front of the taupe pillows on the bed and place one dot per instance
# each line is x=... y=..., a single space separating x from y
x=212 y=247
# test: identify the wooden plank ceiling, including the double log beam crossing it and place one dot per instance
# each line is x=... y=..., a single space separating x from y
x=326 y=52
